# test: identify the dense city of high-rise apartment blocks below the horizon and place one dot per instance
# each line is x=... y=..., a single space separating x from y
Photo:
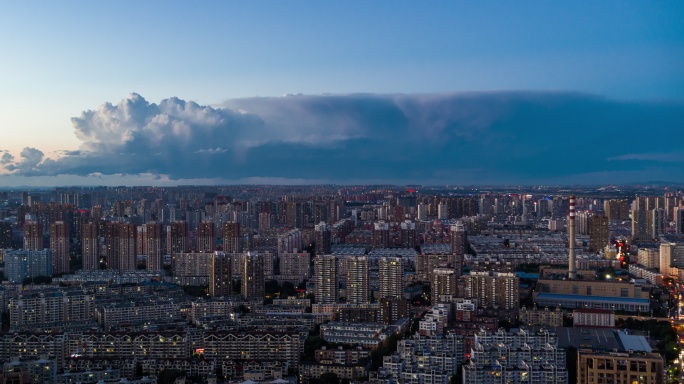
x=330 y=283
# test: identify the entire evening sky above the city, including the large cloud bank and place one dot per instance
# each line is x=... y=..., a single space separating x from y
x=453 y=92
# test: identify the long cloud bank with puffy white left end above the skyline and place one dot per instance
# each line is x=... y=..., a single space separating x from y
x=460 y=138
